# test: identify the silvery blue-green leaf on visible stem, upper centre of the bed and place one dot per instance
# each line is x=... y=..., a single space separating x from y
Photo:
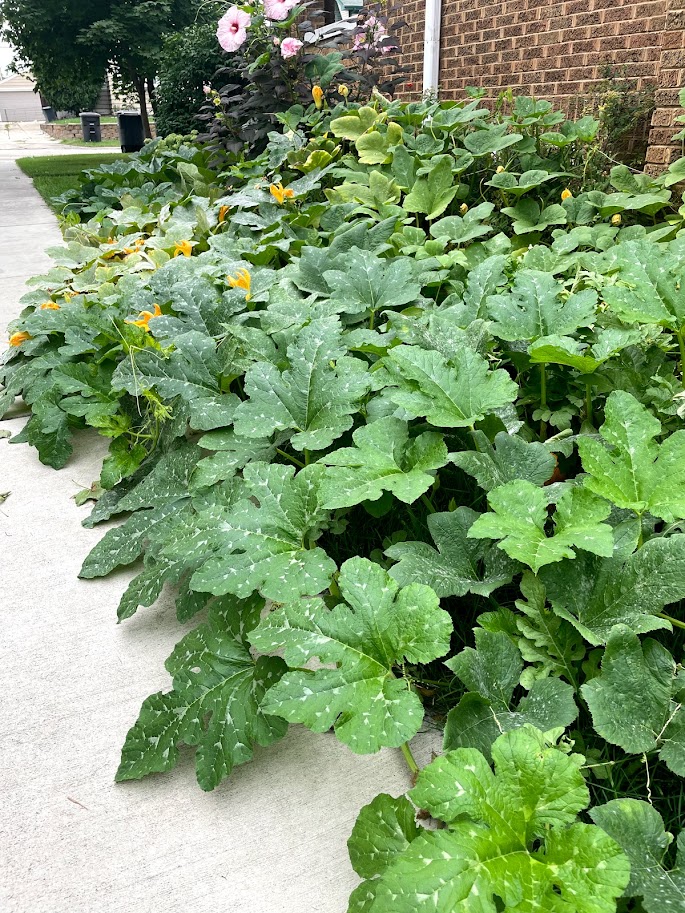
x=369 y=283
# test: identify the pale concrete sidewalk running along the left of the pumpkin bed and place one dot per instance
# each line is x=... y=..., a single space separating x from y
x=271 y=839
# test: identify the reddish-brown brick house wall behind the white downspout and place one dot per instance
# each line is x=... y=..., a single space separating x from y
x=556 y=50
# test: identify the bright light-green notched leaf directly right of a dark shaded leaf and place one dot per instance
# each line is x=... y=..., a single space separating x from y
x=519 y=515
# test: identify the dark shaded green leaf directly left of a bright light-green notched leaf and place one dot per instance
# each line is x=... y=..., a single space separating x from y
x=459 y=566
